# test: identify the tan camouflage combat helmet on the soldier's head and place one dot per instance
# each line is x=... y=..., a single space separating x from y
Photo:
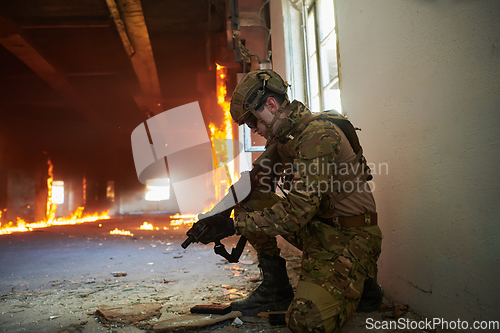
x=249 y=91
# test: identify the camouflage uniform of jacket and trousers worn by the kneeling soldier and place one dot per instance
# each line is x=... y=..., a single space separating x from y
x=336 y=260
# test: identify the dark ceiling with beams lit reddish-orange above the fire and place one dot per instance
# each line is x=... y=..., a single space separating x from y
x=76 y=77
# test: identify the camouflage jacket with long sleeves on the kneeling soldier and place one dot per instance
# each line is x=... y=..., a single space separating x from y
x=310 y=153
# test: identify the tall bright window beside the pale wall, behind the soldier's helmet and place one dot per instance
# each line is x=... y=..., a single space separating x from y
x=322 y=57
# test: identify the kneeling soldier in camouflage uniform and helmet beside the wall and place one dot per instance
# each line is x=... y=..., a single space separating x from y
x=328 y=211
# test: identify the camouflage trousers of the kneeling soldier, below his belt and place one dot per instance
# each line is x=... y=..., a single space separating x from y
x=335 y=263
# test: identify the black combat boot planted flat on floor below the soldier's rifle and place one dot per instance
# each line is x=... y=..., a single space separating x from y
x=274 y=293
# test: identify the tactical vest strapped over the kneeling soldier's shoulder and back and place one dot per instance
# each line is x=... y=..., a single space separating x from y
x=340 y=188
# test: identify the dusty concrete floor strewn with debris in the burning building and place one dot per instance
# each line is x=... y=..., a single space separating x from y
x=54 y=279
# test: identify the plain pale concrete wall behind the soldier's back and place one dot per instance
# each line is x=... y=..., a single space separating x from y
x=422 y=80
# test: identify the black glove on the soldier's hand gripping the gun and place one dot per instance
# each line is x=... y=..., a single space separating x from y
x=211 y=229
